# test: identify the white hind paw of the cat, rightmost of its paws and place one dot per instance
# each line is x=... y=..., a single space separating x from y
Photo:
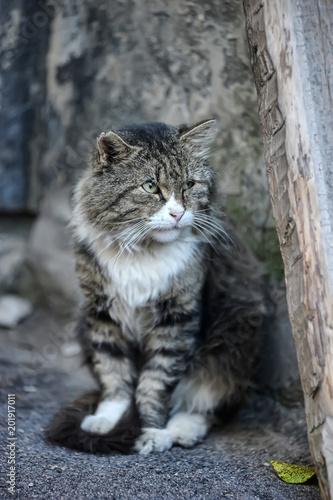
x=187 y=429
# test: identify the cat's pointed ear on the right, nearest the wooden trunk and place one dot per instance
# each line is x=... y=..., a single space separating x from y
x=198 y=138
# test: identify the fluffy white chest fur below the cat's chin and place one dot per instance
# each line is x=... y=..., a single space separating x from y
x=143 y=275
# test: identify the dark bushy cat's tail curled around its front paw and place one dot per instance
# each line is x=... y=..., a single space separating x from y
x=65 y=428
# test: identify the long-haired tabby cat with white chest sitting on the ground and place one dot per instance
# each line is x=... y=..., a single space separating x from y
x=171 y=314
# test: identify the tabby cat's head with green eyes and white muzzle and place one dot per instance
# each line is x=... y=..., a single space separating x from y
x=148 y=182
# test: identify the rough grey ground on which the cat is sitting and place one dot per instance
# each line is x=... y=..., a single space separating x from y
x=40 y=365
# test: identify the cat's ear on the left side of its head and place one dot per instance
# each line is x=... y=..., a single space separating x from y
x=111 y=147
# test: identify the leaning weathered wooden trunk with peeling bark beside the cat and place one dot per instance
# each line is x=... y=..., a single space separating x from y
x=292 y=59
